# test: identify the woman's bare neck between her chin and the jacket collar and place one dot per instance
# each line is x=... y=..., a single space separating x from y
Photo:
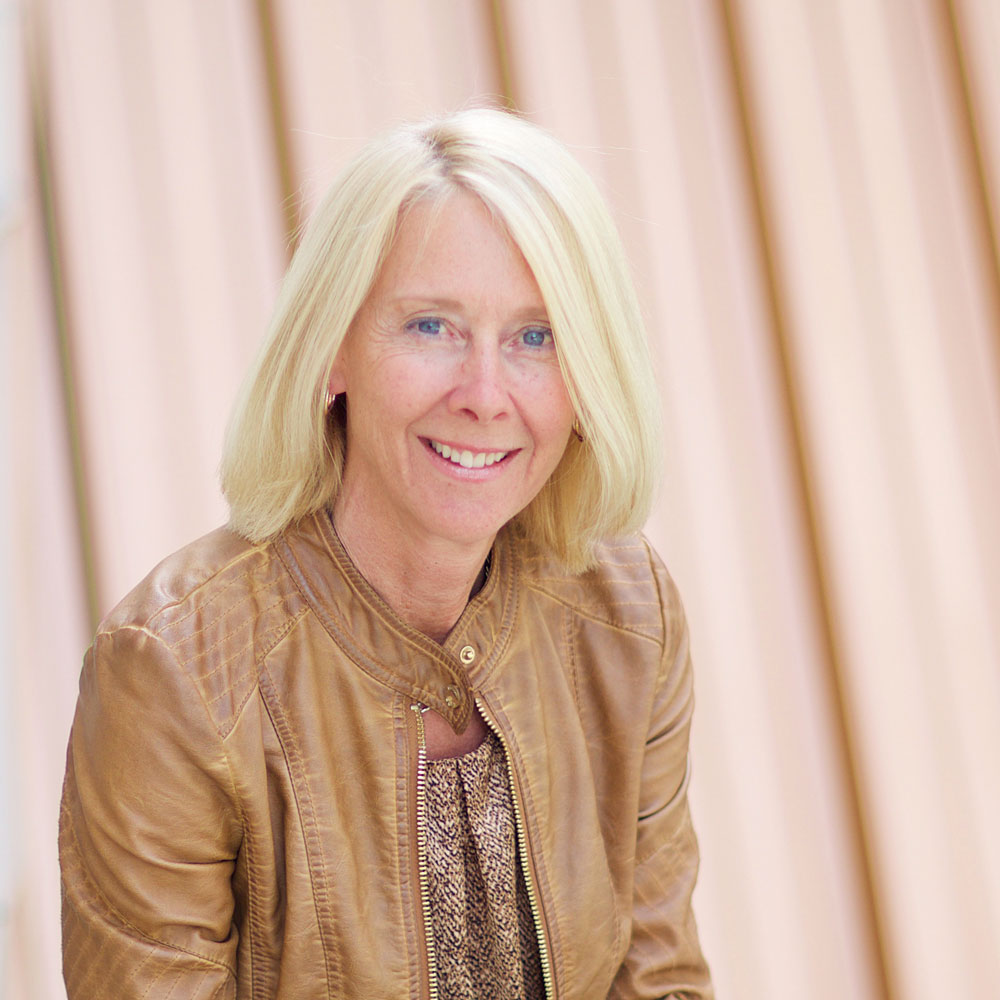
x=428 y=583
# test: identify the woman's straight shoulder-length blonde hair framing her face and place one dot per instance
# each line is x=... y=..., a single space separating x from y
x=284 y=454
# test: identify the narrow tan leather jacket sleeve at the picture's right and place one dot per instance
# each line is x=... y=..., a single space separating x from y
x=664 y=958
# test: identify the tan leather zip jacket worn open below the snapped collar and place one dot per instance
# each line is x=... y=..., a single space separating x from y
x=240 y=812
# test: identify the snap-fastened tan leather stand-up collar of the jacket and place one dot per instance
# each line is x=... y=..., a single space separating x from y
x=373 y=635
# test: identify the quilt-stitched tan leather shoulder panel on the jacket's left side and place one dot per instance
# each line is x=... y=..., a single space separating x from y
x=219 y=604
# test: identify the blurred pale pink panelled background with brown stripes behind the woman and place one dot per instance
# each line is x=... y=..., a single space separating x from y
x=809 y=195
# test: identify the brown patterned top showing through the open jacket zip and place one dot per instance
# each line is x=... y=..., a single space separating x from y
x=484 y=932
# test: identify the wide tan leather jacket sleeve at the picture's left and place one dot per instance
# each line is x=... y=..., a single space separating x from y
x=148 y=832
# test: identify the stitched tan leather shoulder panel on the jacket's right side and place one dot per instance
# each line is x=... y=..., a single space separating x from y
x=622 y=591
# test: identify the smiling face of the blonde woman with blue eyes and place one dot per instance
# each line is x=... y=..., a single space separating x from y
x=457 y=410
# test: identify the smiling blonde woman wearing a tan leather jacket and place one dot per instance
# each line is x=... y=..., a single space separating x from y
x=410 y=725
